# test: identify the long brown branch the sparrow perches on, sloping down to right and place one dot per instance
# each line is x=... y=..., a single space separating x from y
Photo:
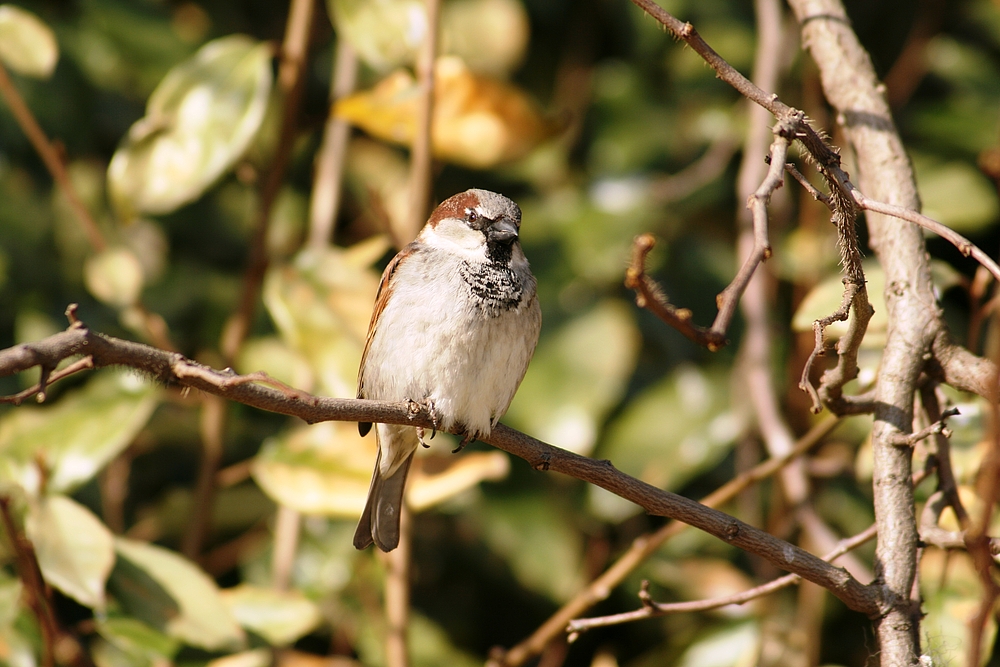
x=172 y=368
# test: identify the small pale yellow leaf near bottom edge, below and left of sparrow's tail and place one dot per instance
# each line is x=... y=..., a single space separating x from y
x=280 y=617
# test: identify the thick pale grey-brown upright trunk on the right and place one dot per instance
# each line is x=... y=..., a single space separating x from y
x=851 y=86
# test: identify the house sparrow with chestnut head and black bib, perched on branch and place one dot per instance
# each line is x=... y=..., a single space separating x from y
x=455 y=323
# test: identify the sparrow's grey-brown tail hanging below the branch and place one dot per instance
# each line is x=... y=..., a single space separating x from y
x=380 y=518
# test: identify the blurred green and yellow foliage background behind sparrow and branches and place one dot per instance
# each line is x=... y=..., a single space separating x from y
x=168 y=115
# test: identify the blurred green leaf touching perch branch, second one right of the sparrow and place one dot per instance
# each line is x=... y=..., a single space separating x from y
x=669 y=433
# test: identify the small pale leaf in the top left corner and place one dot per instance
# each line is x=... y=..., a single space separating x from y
x=27 y=44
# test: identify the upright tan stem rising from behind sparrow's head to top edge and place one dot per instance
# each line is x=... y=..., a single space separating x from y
x=421 y=152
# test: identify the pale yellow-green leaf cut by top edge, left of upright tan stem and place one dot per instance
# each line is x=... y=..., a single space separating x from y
x=385 y=33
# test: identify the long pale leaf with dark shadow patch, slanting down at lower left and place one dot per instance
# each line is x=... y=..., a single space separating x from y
x=201 y=618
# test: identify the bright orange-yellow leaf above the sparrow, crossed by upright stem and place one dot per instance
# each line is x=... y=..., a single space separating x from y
x=478 y=121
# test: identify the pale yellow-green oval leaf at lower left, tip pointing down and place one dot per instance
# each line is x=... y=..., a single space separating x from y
x=75 y=550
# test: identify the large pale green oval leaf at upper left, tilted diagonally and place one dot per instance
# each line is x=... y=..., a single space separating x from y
x=199 y=121
